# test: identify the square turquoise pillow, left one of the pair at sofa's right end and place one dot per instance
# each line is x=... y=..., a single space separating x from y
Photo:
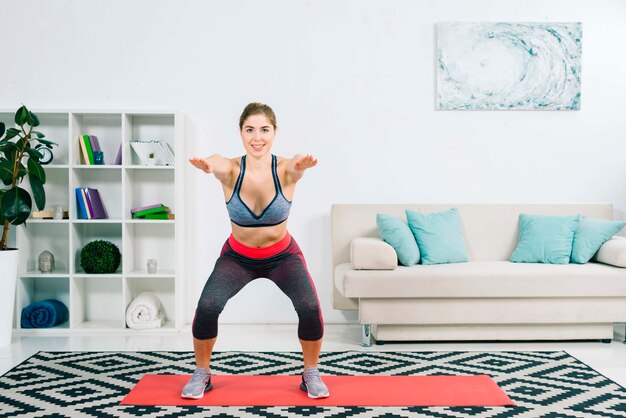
x=545 y=239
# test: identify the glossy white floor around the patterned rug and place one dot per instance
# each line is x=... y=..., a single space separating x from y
x=608 y=359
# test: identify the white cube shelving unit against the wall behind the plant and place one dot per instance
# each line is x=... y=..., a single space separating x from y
x=97 y=302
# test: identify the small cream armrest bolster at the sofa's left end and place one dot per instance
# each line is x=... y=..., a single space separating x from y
x=372 y=254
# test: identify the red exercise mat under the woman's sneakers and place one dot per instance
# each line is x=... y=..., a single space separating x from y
x=242 y=390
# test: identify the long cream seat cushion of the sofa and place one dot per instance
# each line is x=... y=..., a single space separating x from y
x=483 y=279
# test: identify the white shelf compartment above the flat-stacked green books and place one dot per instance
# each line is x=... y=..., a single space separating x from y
x=147 y=187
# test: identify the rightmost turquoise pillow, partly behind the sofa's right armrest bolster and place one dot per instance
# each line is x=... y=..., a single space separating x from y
x=590 y=235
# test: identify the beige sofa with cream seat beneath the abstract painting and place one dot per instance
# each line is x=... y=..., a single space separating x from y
x=487 y=298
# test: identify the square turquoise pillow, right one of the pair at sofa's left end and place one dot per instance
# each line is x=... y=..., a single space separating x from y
x=439 y=236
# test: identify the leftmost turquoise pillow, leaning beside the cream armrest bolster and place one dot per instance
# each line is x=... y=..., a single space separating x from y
x=396 y=232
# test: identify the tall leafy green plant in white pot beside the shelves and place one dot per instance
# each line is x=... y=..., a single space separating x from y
x=18 y=159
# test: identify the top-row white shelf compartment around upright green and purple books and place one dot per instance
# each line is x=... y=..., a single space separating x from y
x=107 y=127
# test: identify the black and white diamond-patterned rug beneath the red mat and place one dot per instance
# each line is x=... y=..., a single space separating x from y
x=92 y=384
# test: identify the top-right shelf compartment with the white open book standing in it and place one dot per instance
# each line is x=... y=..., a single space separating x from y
x=146 y=127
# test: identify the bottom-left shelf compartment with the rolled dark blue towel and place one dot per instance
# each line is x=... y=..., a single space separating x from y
x=34 y=289
